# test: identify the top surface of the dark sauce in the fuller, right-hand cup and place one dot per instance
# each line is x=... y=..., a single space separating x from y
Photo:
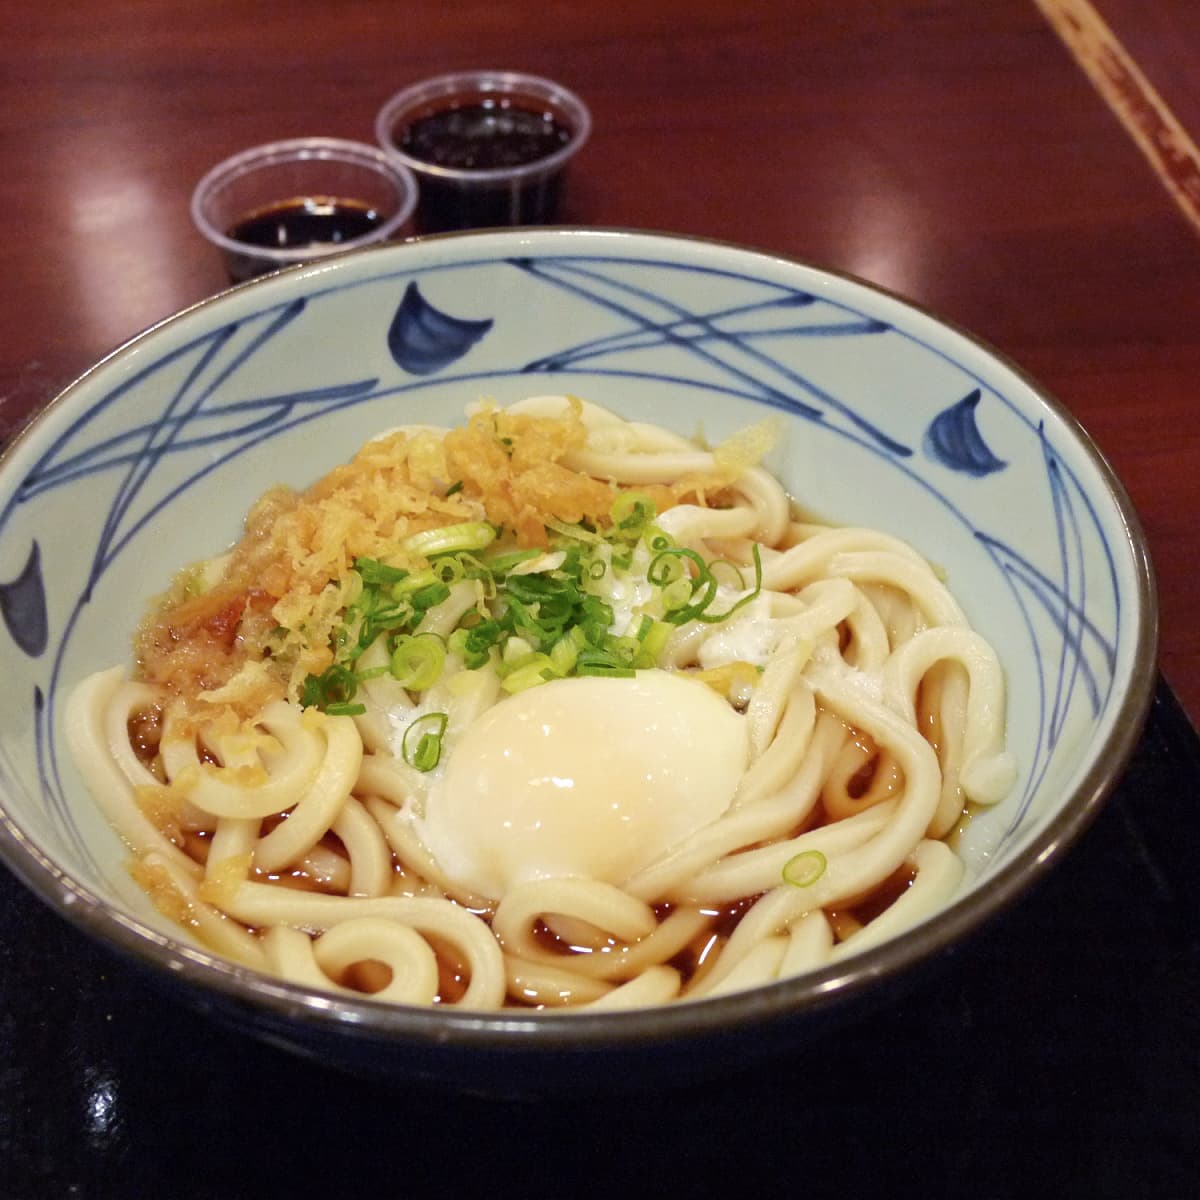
x=487 y=136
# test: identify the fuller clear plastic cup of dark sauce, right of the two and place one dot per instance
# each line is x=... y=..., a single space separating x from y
x=489 y=148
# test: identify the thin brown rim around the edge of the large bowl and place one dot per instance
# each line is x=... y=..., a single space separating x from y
x=508 y=1030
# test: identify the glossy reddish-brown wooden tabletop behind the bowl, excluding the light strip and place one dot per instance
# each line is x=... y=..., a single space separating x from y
x=951 y=152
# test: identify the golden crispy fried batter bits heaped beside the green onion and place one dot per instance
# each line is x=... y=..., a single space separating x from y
x=267 y=621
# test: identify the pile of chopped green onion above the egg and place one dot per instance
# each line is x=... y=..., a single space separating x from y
x=537 y=615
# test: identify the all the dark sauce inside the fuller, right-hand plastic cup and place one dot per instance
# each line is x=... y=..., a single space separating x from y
x=484 y=135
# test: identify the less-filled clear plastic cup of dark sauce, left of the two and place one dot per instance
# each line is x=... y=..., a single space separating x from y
x=296 y=201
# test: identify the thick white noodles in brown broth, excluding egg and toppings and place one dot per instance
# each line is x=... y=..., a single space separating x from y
x=860 y=646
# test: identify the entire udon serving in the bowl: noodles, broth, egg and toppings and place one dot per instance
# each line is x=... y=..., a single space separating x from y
x=553 y=710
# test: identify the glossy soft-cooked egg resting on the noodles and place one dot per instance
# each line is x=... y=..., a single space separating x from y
x=584 y=777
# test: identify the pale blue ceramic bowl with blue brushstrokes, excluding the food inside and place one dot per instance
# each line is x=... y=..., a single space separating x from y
x=893 y=419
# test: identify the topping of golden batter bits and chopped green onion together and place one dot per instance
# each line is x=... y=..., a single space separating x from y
x=515 y=563
